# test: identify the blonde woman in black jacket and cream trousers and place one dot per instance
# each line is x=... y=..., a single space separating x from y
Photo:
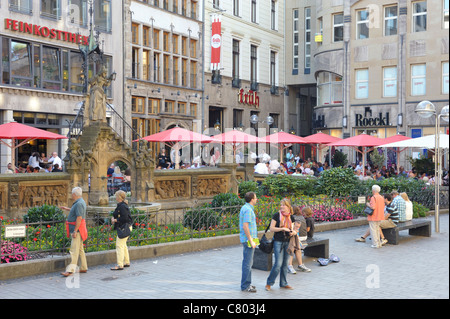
x=121 y=217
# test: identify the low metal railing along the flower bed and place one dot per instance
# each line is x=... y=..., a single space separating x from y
x=49 y=237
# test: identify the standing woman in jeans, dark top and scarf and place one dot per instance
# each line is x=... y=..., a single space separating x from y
x=282 y=225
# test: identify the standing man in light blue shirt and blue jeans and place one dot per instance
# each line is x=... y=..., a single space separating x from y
x=247 y=233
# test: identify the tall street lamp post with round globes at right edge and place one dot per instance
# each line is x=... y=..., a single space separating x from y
x=426 y=109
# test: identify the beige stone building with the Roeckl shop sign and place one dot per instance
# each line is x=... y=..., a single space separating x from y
x=372 y=63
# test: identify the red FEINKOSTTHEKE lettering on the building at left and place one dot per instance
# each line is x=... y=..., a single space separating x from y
x=45 y=32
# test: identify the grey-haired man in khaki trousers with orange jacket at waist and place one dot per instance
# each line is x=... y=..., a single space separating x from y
x=76 y=229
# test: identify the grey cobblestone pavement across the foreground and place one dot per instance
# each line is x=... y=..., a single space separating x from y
x=416 y=268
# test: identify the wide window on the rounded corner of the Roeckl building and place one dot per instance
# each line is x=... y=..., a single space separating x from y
x=329 y=88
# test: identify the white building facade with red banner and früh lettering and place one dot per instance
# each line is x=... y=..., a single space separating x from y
x=250 y=79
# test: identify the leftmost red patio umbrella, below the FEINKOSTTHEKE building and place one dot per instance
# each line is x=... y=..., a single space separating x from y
x=16 y=131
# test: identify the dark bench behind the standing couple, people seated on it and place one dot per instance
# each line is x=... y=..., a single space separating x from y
x=316 y=247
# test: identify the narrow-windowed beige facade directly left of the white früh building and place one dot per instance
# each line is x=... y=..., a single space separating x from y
x=163 y=59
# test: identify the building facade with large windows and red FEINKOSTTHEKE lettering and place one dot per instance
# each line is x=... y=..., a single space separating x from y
x=42 y=74
